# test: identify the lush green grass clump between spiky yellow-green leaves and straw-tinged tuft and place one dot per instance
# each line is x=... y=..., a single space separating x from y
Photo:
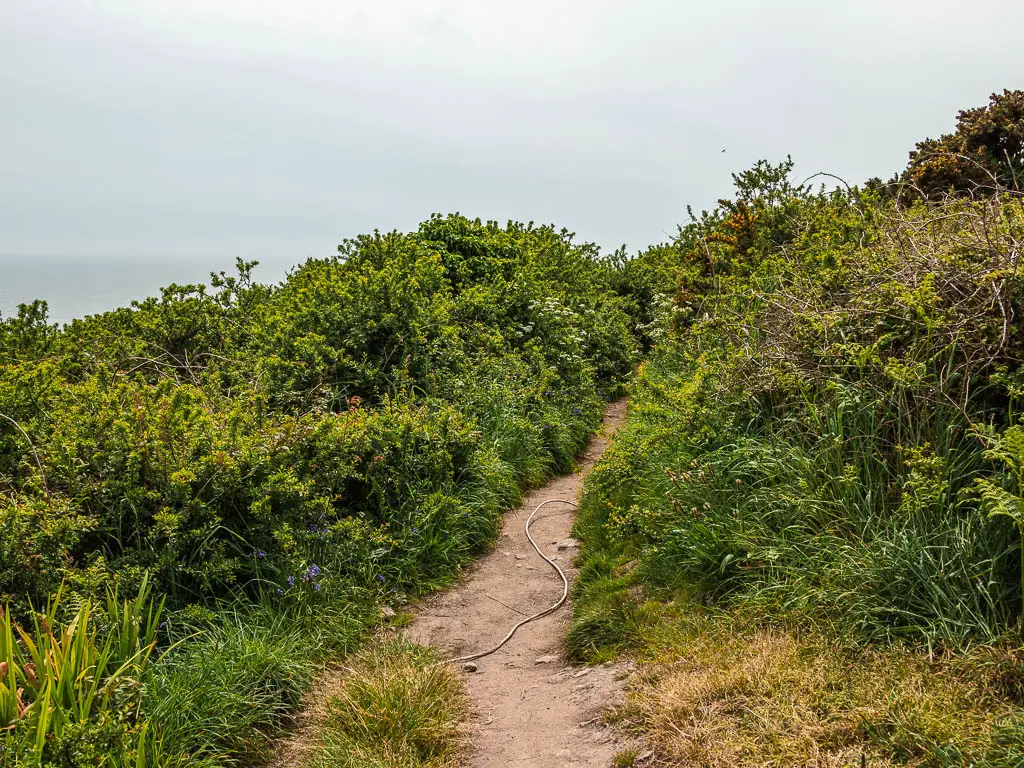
x=226 y=691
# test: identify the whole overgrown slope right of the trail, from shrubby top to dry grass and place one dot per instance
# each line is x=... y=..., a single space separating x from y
x=812 y=525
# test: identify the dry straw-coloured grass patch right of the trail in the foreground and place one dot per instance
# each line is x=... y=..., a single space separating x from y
x=770 y=698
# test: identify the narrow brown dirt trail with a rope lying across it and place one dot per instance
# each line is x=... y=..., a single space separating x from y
x=532 y=709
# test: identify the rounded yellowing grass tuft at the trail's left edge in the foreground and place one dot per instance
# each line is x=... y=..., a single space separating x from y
x=399 y=706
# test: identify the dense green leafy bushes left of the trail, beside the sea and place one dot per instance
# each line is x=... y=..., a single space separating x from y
x=184 y=436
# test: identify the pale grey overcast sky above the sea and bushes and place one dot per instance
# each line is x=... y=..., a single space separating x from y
x=273 y=130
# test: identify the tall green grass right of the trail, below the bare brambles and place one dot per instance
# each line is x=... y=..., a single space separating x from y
x=812 y=510
